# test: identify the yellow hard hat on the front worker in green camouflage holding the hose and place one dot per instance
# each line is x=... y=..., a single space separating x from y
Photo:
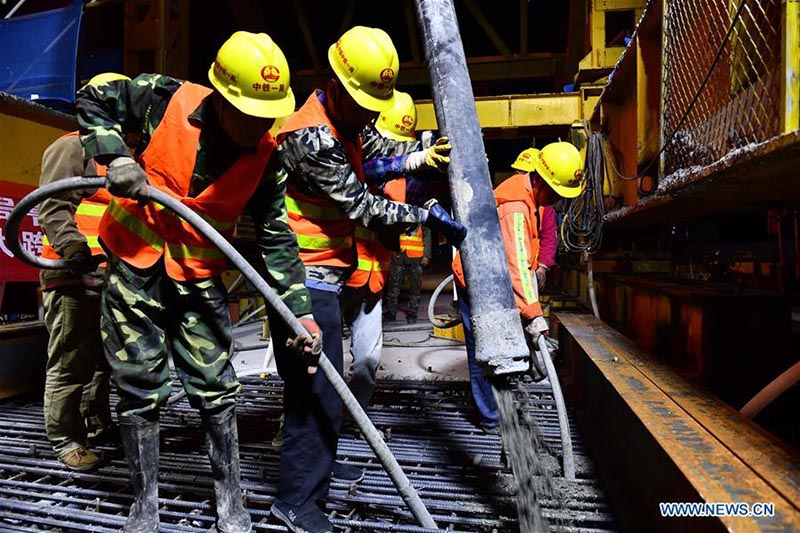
x=251 y=73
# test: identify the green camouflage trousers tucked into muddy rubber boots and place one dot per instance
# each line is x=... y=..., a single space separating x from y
x=145 y=316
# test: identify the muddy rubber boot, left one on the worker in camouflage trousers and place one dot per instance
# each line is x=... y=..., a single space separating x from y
x=140 y=440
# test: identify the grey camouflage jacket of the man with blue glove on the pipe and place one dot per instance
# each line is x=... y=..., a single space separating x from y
x=316 y=163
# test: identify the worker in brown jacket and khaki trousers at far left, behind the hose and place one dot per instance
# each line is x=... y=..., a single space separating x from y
x=76 y=392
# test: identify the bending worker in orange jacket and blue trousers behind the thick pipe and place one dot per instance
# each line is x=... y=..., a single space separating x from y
x=556 y=172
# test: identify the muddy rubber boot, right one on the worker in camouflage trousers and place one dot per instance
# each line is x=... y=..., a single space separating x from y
x=223 y=452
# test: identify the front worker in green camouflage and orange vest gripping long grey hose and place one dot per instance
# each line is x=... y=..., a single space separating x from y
x=210 y=148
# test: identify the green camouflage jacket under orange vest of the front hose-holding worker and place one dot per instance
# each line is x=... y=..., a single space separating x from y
x=109 y=112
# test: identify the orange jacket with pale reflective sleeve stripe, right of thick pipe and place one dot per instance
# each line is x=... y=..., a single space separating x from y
x=518 y=214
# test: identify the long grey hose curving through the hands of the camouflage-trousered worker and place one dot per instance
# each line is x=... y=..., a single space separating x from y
x=371 y=434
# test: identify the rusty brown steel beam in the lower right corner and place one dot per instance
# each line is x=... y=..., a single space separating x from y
x=684 y=444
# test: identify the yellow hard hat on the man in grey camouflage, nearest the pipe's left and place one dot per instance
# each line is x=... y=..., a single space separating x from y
x=365 y=61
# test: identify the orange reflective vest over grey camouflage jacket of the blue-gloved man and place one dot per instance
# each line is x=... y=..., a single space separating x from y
x=325 y=236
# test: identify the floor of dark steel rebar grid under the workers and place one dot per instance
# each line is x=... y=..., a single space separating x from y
x=457 y=470
